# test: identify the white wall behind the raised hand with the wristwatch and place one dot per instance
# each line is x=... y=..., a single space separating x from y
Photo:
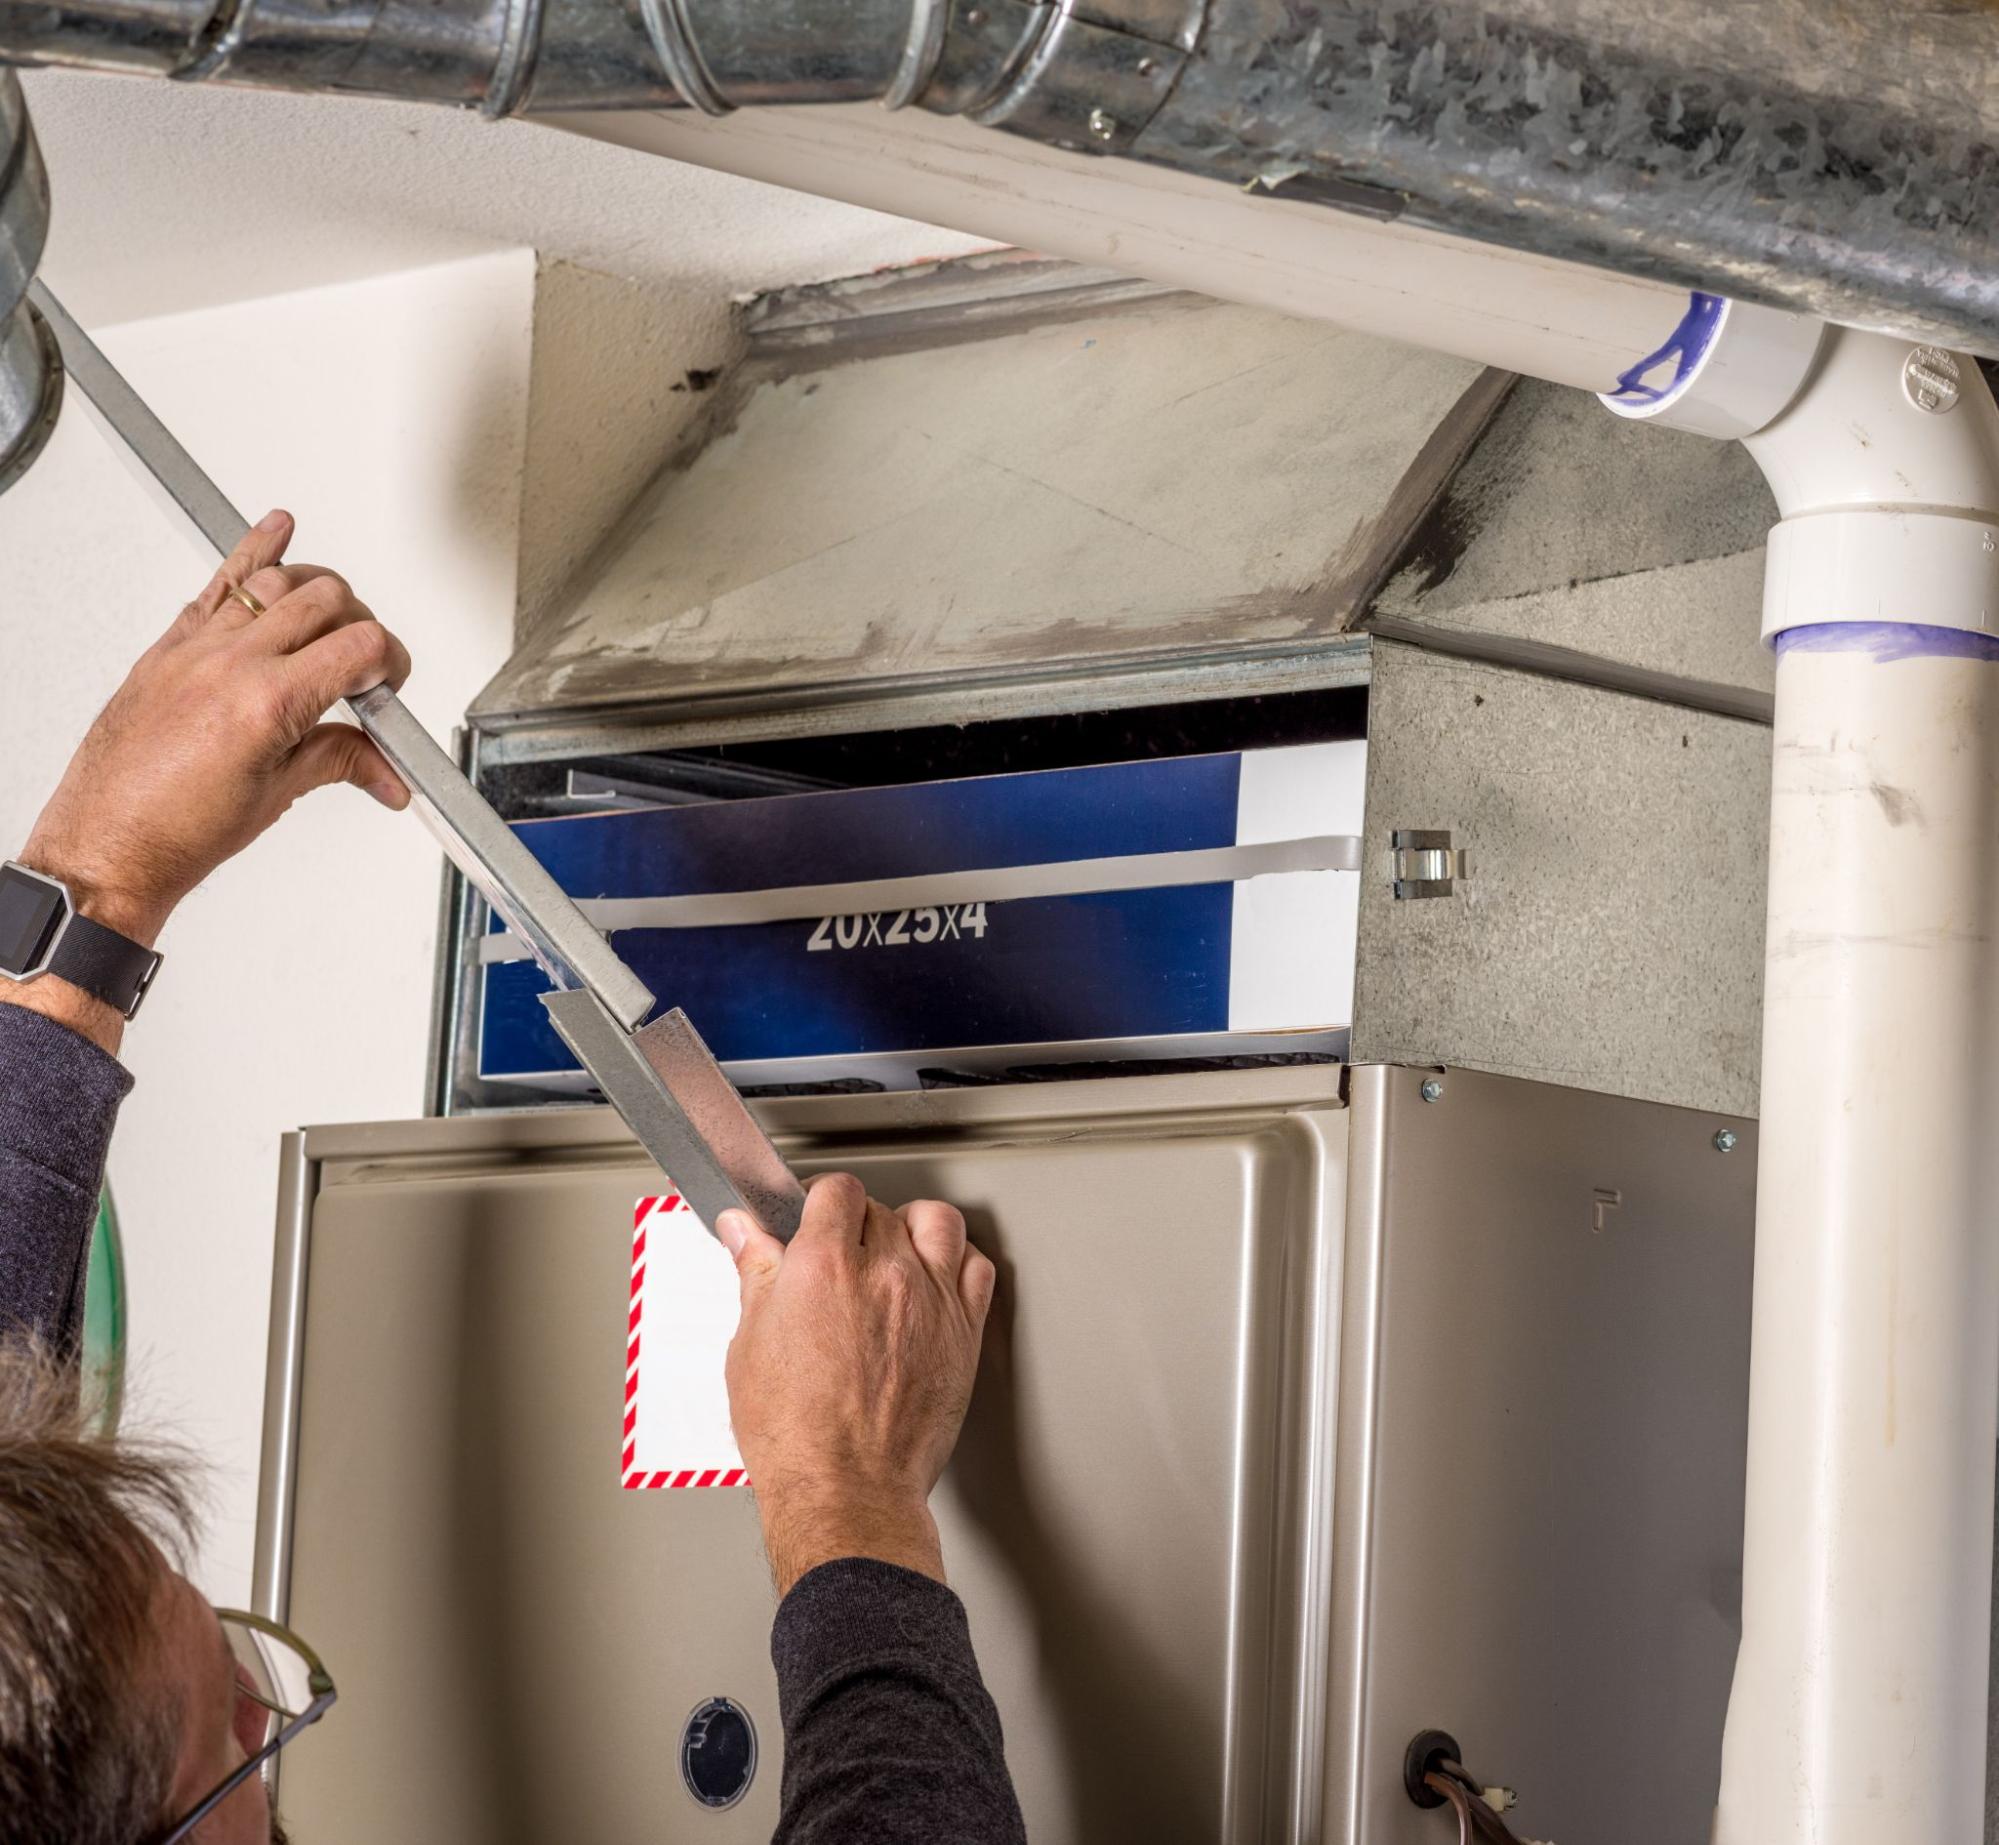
x=389 y=417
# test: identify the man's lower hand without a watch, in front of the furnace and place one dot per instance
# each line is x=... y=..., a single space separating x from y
x=851 y=1374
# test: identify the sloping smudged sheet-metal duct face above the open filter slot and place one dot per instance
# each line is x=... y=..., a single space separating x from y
x=945 y=499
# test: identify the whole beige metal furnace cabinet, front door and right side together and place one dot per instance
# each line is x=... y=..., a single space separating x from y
x=1316 y=1414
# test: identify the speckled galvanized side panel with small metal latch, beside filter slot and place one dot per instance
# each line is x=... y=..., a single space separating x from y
x=1608 y=928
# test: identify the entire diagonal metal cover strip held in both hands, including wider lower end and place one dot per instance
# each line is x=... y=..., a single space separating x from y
x=661 y=1080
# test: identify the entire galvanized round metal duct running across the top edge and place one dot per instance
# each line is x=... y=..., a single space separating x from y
x=1816 y=155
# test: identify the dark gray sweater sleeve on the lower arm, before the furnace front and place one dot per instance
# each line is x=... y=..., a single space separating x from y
x=889 y=1732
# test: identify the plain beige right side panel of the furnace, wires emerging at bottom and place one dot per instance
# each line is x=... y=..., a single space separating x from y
x=1542 y=1434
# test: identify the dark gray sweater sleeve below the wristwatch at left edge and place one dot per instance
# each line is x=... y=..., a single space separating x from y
x=59 y=1100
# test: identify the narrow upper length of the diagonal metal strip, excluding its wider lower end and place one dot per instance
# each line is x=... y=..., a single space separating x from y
x=473 y=837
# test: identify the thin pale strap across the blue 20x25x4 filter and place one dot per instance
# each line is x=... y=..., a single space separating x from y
x=989 y=885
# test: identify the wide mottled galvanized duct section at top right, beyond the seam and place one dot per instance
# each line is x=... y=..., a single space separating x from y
x=1816 y=155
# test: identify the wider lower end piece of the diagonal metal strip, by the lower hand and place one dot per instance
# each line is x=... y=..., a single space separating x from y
x=685 y=1112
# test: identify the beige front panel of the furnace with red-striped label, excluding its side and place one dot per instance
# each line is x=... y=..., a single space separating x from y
x=519 y=1640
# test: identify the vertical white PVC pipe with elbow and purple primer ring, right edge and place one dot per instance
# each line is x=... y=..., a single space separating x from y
x=1858 y=1714
